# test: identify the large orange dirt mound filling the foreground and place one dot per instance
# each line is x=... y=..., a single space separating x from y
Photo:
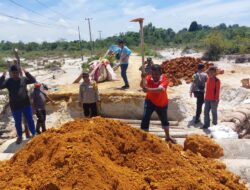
x=106 y=154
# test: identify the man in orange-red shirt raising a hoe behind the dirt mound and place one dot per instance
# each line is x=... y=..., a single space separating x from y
x=156 y=100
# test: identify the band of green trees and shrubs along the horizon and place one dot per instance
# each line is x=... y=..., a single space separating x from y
x=215 y=41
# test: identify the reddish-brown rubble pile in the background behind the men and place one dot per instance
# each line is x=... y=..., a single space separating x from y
x=183 y=68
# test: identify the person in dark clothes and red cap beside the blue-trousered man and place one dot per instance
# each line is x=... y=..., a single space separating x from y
x=39 y=98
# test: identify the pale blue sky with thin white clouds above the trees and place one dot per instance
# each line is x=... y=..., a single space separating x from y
x=58 y=19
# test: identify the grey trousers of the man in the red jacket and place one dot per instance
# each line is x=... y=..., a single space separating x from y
x=211 y=105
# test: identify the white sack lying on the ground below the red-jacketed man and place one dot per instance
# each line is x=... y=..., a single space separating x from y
x=222 y=132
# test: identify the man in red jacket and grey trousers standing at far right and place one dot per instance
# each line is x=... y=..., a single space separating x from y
x=211 y=97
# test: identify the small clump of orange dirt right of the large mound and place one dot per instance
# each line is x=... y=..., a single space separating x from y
x=203 y=145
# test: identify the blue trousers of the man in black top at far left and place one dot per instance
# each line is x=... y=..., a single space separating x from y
x=17 y=114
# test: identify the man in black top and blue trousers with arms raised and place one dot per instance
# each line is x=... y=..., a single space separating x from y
x=19 y=99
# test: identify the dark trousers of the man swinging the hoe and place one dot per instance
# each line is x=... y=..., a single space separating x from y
x=149 y=108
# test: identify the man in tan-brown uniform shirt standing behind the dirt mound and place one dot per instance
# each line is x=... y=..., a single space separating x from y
x=88 y=96
